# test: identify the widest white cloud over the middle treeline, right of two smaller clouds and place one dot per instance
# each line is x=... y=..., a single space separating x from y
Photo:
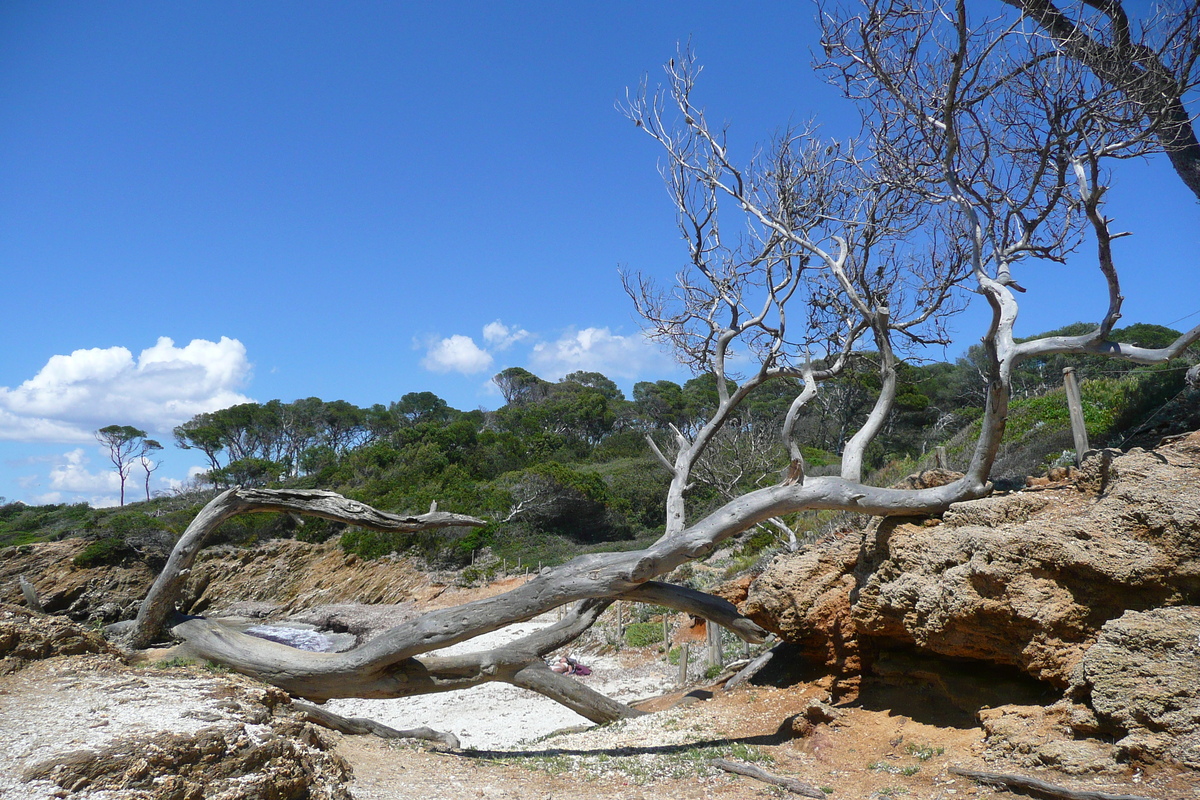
x=598 y=350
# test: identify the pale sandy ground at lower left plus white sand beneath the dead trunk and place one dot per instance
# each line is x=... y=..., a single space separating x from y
x=51 y=709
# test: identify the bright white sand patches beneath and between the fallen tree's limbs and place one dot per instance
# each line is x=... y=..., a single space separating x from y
x=500 y=715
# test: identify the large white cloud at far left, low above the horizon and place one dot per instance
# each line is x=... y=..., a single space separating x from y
x=75 y=395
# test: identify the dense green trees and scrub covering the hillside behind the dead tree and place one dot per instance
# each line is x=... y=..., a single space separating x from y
x=563 y=468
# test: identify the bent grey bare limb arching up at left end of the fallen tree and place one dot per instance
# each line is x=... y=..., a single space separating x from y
x=160 y=604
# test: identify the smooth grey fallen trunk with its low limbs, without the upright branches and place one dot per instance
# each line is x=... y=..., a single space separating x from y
x=395 y=665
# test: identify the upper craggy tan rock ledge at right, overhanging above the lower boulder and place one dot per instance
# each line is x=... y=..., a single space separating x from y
x=1025 y=580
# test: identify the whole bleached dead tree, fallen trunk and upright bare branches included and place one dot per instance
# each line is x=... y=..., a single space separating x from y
x=985 y=153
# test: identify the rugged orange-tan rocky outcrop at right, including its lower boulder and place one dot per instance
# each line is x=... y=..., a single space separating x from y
x=1070 y=584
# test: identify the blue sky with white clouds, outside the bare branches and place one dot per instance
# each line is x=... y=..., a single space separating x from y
x=205 y=203
